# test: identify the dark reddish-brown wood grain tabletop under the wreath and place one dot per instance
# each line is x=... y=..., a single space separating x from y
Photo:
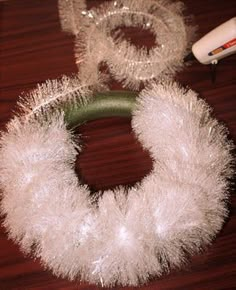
x=34 y=49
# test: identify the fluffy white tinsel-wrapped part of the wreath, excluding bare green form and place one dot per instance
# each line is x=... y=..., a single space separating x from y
x=126 y=237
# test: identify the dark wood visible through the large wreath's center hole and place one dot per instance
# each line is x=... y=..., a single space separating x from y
x=111 y=155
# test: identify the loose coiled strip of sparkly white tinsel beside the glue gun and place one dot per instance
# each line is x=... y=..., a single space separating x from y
x=98 y=38
